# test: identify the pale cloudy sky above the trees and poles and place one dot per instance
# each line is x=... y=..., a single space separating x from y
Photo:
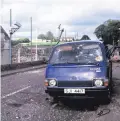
x=81 y=16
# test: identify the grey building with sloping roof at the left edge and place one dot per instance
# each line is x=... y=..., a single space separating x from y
x=5 y=53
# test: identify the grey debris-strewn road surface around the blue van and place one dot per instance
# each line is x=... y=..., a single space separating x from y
x=23 y=99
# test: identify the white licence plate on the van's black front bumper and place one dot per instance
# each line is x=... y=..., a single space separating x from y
x=74 y=91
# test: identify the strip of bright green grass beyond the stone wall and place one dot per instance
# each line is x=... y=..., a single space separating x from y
x=42 y=43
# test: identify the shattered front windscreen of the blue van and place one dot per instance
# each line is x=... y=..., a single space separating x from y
x=77 y=53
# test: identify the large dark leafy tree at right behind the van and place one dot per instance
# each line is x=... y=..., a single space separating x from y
x=108 y=31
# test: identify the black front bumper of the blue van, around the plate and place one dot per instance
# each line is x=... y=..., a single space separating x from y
x=89 y=93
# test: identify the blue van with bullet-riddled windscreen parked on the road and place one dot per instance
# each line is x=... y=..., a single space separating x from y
x=79 y=69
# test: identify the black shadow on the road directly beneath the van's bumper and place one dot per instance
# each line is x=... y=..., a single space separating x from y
x=82 y=104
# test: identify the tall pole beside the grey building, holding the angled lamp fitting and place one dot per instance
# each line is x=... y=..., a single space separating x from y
x=10 y=48
